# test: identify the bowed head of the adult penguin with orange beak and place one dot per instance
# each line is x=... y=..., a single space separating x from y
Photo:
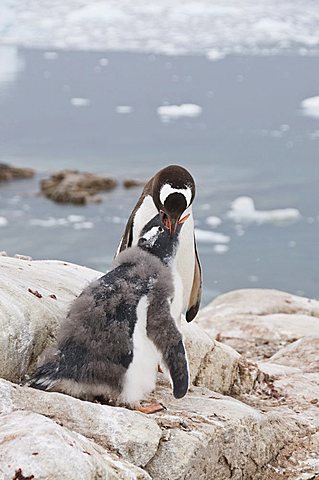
x=173 y=191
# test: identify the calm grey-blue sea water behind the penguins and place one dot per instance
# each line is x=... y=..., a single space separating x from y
x=251 y=139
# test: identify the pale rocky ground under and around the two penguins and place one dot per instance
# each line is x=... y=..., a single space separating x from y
x=252 y=411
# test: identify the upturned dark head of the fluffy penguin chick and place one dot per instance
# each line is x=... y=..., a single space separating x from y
x=156 y=239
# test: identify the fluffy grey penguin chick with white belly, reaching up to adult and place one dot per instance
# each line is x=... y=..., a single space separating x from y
x=120 y=328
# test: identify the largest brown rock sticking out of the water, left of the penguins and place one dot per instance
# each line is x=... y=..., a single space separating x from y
x=72 y=186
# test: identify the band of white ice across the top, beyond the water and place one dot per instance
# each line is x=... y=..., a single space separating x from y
x=216 y=27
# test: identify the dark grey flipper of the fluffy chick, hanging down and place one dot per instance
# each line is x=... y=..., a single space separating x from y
x=162 y=330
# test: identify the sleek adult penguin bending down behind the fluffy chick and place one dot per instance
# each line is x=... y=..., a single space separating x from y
x=171 y=192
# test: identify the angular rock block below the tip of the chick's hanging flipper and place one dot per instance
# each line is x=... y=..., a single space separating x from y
x=208 y=436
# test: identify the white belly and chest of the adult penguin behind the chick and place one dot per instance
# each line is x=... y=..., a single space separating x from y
x=184 y=263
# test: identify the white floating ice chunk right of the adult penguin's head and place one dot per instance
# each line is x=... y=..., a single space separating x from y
x=243 y=210
